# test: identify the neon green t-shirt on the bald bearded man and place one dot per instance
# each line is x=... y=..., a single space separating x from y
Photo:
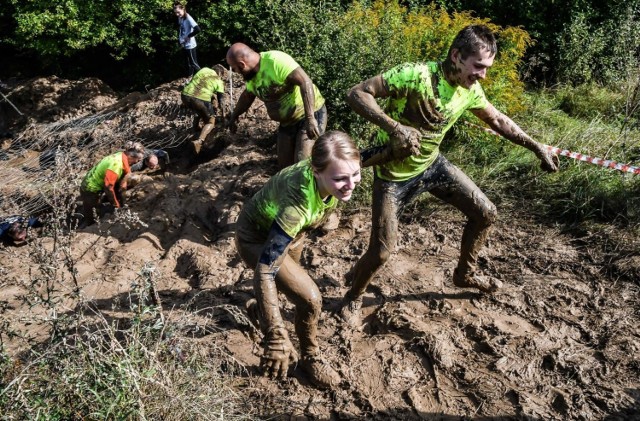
x=283 y=100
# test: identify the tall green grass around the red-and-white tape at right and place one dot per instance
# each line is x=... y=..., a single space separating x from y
x=565 y=117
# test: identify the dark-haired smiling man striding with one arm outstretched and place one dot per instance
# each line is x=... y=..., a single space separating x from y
x=424 y=101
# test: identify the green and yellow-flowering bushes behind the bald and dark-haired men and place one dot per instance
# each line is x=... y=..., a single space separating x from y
x=342 y=47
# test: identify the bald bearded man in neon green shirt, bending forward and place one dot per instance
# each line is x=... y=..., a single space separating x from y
x=289 y=94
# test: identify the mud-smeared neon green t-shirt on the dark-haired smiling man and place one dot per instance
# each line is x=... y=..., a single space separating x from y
x=410 y=85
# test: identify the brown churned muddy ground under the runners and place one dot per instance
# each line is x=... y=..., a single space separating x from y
x=560 y=341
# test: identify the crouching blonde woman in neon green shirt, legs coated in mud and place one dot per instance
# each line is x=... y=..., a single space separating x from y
x=269 y=238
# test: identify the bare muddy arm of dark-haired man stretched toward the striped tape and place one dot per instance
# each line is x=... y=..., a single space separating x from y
x=510 y=130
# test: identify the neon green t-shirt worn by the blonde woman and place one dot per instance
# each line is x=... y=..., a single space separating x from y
x=290 y=198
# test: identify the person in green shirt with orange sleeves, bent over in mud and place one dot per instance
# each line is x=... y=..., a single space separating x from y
x=108 y=177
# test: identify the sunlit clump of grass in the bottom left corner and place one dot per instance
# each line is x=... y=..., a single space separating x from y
x=135 y=366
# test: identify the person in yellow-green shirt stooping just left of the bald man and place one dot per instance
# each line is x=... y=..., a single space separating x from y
x=198 y=96
